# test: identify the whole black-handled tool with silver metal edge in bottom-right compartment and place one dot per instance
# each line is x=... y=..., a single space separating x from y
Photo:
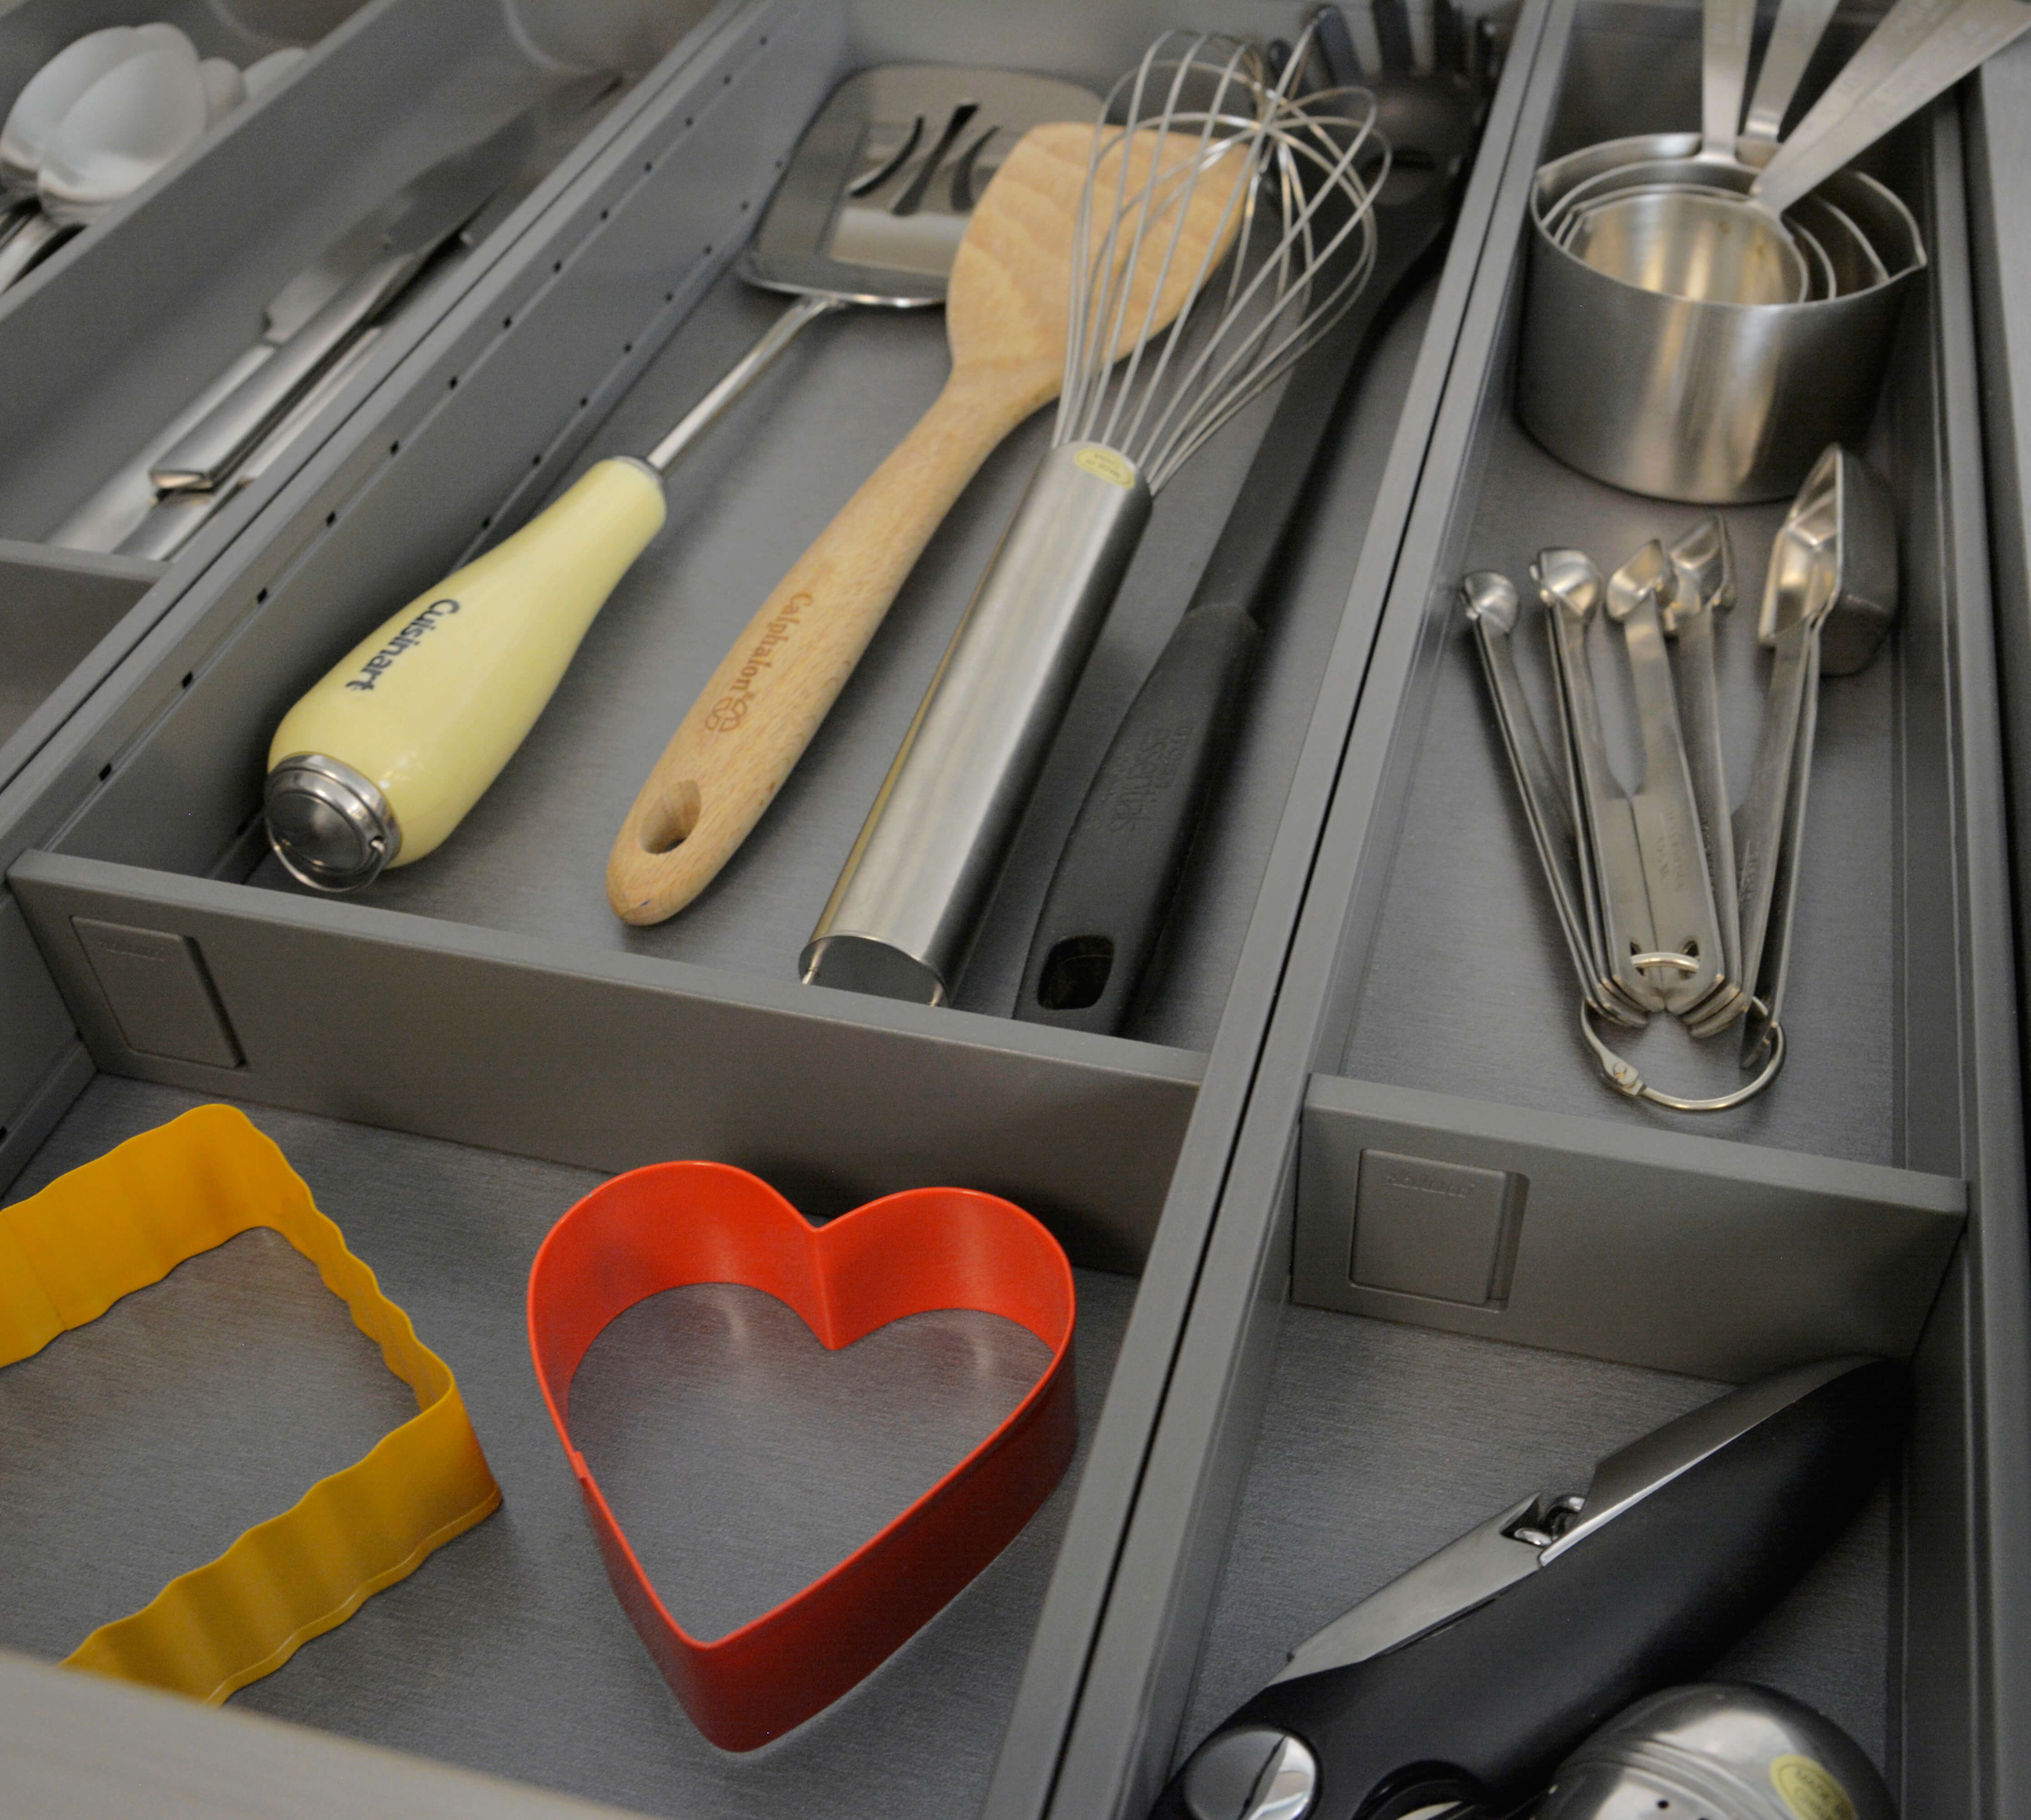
x=1473 y=1675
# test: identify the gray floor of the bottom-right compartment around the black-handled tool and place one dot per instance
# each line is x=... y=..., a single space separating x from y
x=1380 y=1441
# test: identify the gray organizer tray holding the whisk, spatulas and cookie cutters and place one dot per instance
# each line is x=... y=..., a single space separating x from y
x=482 y=1023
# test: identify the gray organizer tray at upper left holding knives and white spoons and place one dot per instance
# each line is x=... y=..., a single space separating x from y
x=127 y=324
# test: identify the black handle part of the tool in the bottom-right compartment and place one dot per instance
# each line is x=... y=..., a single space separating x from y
x=1492 y=1703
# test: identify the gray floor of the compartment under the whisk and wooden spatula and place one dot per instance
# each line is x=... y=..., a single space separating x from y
x=531 y=856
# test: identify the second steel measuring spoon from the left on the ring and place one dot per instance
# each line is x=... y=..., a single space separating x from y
x=1571 y=590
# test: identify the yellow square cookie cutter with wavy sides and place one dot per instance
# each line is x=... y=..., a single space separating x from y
x=127 y=1222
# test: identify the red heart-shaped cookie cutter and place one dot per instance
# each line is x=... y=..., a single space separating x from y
x=909 y=1254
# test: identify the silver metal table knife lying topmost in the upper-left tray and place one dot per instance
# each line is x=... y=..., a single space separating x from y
x=407 y=231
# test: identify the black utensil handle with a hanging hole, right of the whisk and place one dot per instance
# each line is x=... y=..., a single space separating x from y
x=1120 y=866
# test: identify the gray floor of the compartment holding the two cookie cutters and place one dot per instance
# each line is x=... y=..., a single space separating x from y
x=507 y=1650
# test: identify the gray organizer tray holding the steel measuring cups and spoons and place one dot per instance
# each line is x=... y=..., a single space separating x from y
x=1555 y=1269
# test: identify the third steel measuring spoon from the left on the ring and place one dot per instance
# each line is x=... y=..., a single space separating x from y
x=1666 y=814
